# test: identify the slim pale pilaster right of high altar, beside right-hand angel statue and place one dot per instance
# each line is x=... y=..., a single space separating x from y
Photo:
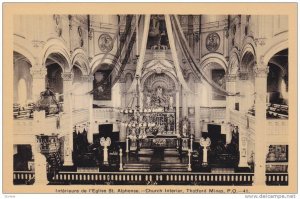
x=197 y=101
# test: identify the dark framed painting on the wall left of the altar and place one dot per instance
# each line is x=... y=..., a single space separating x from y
x=102 y=85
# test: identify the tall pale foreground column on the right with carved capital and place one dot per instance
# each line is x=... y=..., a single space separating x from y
x=261 y=73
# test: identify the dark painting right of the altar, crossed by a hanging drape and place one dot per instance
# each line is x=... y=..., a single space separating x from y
x=218 y=76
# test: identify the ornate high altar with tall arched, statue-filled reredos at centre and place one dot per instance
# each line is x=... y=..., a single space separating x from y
x=154 y=122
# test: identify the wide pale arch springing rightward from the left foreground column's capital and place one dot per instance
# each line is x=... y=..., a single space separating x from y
x=57 y=48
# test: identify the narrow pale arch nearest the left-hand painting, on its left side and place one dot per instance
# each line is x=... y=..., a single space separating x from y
x=80 y=59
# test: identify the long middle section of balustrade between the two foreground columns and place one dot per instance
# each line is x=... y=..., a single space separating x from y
x=140 y=178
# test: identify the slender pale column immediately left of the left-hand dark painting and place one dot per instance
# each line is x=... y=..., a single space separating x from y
x=88 y=80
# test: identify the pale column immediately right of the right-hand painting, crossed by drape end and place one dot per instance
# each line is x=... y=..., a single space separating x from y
x=230 y=100
